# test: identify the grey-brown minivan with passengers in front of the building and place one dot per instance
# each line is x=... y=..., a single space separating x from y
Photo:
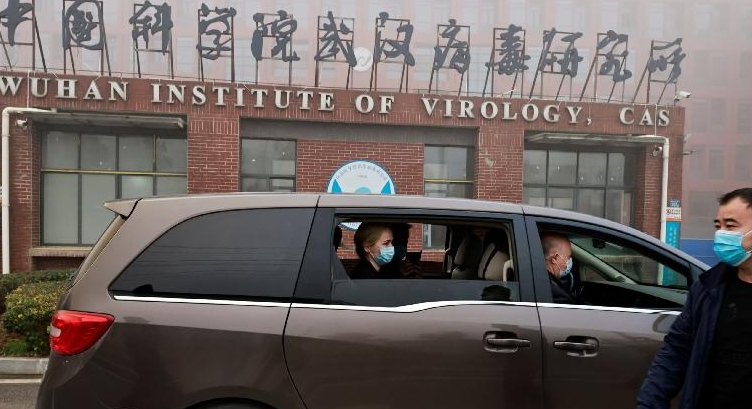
x=247 y=301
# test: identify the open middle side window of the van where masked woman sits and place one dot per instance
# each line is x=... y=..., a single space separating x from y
x=474 y=261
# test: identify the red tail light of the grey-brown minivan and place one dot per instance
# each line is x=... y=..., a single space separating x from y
x=73 y=332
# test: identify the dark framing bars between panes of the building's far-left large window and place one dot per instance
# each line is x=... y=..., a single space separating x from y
x=118 y=174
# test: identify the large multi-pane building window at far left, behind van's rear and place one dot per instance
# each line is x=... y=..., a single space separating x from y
x=80 y=171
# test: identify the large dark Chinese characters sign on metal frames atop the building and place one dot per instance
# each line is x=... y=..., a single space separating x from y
x=272 y=37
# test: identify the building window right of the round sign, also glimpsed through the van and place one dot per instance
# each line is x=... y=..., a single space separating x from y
x=447 y=172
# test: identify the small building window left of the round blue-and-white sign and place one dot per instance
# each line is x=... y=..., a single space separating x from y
x=267 y=165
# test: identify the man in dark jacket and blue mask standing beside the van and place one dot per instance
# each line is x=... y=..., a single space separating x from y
x=708 y=351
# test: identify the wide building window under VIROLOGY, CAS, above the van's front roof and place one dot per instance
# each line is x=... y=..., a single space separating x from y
x=596 y=183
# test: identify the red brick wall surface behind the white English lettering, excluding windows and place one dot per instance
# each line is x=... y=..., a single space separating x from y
x=214 y=152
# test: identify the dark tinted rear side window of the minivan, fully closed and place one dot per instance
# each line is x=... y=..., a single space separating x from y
x=243 y=254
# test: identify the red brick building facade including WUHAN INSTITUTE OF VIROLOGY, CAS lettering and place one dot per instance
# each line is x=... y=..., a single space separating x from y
x=329 y=128
